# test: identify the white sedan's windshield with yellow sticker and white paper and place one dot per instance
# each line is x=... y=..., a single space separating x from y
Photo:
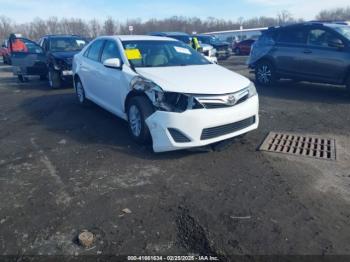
x=162 y=54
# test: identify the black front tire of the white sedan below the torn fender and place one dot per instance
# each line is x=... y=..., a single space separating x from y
x=145 y=109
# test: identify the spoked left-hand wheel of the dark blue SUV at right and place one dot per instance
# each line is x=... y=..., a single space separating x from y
x=265 y=74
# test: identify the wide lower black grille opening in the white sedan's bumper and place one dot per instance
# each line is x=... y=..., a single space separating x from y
x=218 y=131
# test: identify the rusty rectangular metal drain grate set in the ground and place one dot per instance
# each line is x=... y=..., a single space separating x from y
x=303 y=145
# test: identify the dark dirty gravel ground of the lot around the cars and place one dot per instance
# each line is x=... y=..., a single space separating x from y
x=64 y=169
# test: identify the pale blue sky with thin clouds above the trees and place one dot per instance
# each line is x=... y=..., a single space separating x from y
x=27 y=10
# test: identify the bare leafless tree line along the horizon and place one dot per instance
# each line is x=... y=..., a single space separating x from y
x=93 y=28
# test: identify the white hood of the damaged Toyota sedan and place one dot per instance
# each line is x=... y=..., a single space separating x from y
x=198 y=79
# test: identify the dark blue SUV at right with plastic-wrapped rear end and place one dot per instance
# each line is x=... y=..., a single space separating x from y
x=312 y=51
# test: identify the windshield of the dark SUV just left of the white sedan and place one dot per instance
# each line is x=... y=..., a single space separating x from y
x=66 y=44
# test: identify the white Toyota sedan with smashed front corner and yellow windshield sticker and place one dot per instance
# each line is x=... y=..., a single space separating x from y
x=169 y=93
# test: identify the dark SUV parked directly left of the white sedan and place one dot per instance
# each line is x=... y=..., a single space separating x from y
x=60 y=50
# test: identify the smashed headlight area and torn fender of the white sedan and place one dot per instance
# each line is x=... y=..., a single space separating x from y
x=164 y=101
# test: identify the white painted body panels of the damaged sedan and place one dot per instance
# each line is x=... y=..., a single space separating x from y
x=109 y=88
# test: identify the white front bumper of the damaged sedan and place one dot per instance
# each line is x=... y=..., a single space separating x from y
x=194 y=123
